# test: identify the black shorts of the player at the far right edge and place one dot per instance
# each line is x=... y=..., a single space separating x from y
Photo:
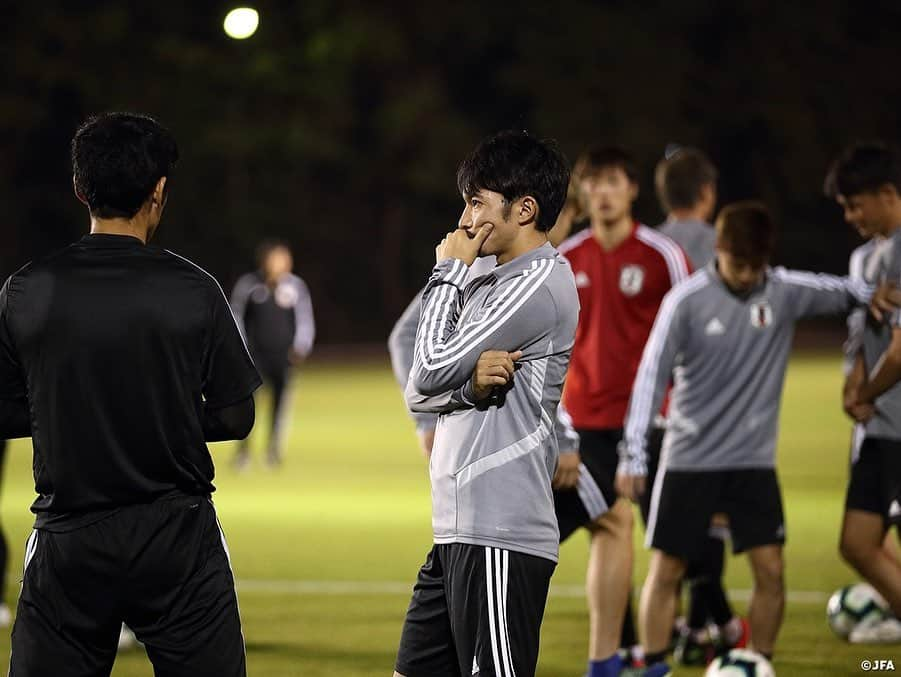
x=875 y=484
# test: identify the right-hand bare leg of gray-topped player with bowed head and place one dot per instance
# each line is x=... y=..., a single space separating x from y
x=768 y=597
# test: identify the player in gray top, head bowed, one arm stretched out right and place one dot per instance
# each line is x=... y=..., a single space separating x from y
x=723 y=337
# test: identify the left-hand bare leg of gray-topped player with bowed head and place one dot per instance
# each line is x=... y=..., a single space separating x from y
x=658 y=601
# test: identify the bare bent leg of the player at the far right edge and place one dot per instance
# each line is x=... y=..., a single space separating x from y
x=864 y=546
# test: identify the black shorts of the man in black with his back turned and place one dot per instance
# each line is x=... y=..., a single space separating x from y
x=162 y=568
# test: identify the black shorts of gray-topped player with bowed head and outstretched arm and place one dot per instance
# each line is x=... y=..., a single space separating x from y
x=683 y=503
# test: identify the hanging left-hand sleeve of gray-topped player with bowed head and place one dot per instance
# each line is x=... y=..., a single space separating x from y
x=654 y=372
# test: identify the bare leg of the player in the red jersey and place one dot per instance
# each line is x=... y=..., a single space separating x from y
x=608 y=579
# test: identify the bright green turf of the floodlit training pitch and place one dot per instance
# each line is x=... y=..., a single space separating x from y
x=352 y=504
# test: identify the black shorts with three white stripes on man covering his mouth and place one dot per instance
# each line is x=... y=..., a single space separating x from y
x=475 y=611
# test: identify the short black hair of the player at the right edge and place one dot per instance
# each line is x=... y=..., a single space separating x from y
x=863 y=168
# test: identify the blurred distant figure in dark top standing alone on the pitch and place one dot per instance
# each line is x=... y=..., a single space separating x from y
x=273 y=309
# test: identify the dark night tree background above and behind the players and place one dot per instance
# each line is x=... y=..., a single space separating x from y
x=339 y=125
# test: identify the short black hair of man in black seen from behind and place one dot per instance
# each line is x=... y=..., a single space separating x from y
x=118 y=158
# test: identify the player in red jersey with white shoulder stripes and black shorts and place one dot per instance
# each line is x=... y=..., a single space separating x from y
x=622 y=270
